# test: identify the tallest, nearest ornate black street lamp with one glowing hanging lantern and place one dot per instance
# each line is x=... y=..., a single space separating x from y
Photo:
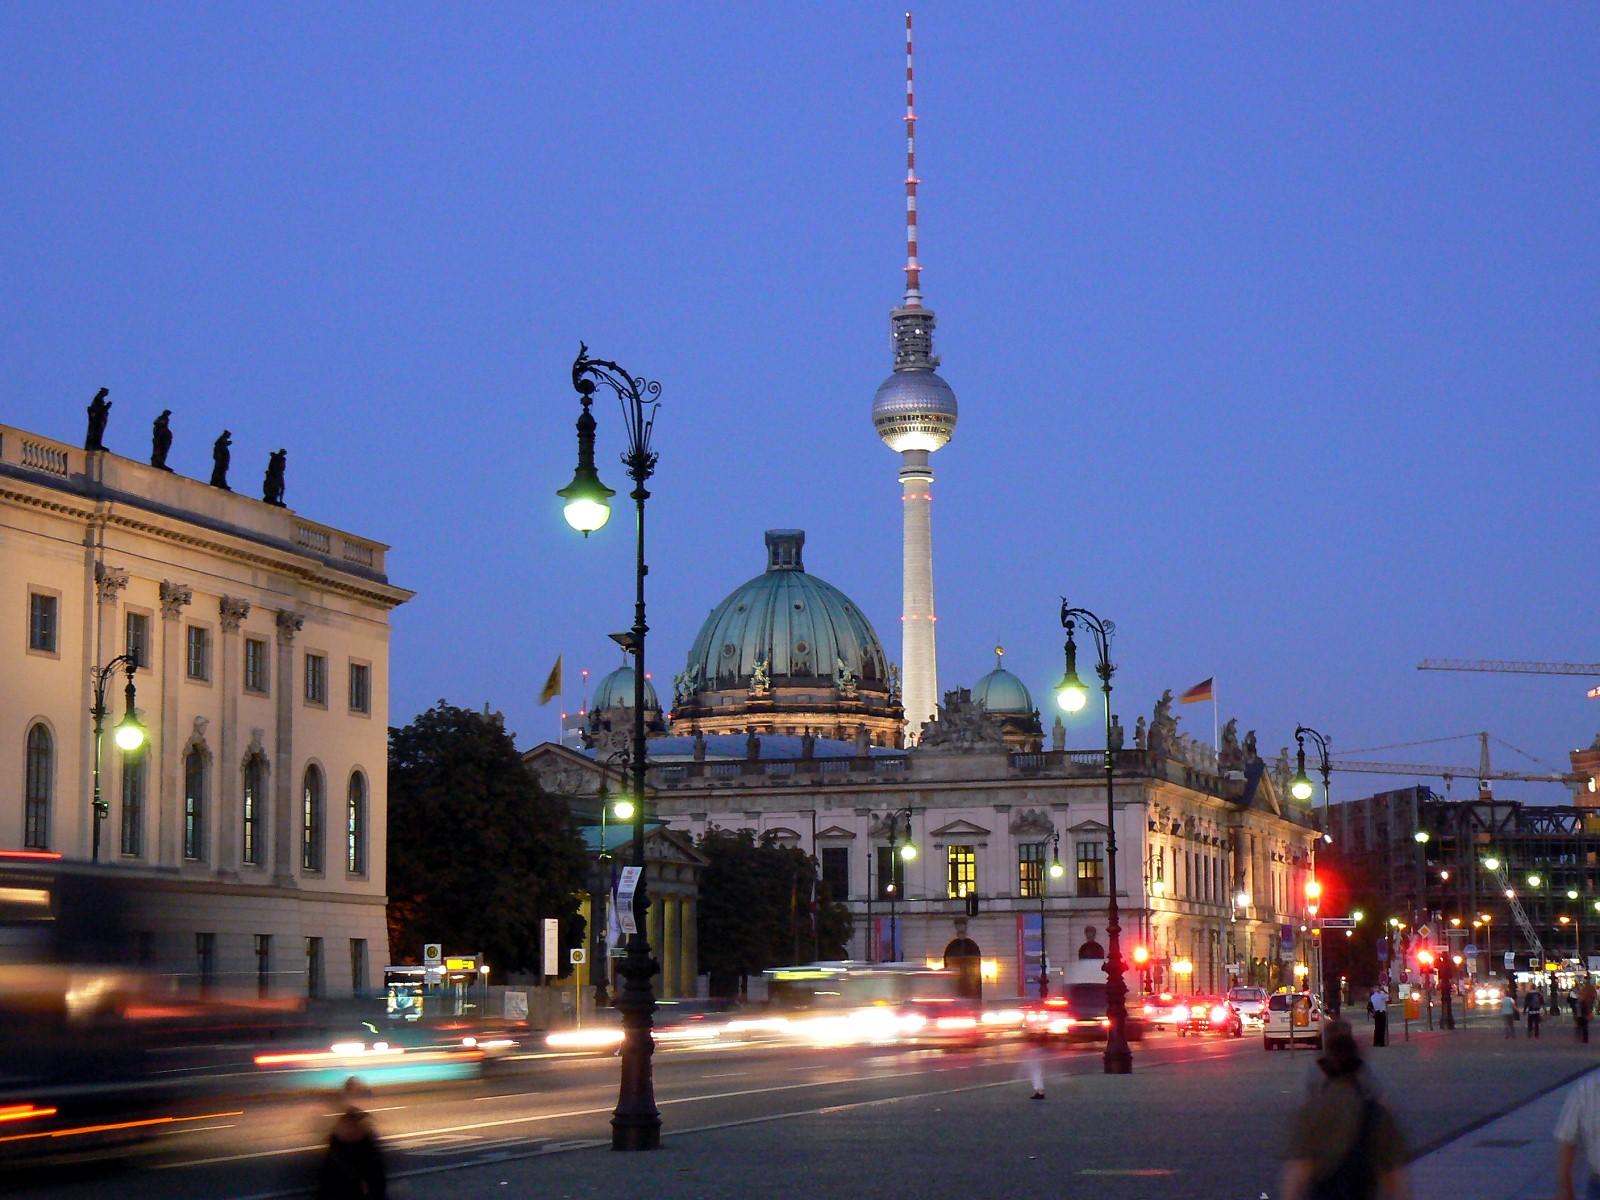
x=636 y=1124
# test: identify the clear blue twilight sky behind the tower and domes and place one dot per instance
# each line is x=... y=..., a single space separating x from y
x=1274 y=330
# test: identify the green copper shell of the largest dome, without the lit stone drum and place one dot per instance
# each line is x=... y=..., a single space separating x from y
x=791 y=622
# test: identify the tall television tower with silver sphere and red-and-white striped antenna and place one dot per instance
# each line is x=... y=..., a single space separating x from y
x=914 y=414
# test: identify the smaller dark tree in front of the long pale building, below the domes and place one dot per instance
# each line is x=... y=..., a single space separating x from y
x=756 y=910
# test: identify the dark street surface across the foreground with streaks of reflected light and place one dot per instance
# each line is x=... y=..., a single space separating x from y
x=1196 y=1119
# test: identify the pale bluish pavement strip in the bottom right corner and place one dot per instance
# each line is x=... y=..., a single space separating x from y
x=1508 y=1159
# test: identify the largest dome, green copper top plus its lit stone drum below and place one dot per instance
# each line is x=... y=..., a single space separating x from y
x=788 y=654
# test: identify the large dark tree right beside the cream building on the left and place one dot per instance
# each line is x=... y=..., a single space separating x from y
x=478 y=854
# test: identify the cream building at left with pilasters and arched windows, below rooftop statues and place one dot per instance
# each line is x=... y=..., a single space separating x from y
x=255 y=818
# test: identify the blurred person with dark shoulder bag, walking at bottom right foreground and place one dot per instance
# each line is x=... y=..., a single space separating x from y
x=1345 y=1142
